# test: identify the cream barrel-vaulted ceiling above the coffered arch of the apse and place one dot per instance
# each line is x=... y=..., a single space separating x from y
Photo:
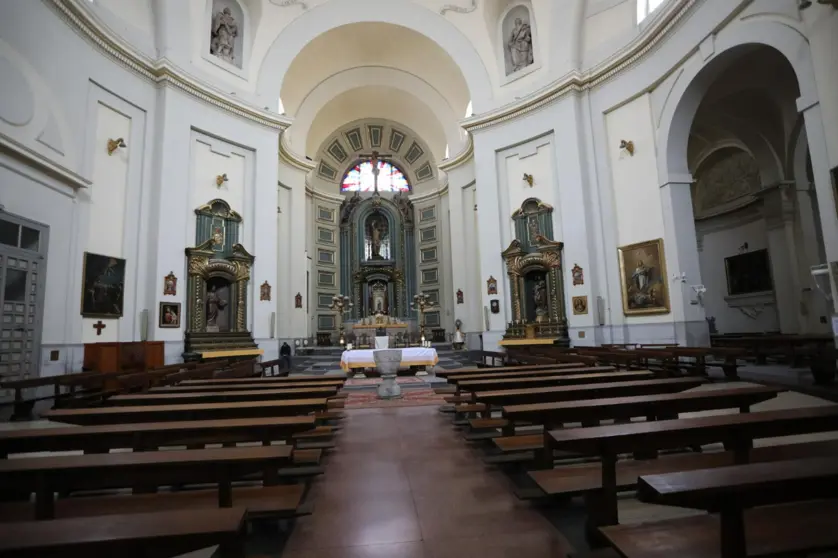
x=375 y=70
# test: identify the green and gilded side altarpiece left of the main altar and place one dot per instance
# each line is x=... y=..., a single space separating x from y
x=218 y=277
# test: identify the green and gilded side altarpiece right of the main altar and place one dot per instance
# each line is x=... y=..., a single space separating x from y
x=534 y=266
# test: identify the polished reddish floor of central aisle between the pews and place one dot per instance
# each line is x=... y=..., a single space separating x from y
x=403 y=484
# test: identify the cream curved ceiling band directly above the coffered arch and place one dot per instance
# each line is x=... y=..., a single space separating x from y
x=377 y=102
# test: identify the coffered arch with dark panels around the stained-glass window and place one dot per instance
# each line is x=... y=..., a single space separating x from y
x=349 y=144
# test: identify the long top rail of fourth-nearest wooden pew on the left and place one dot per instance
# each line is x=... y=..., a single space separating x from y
x=198 y=411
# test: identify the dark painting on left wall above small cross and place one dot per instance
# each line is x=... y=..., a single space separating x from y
x=103 y=286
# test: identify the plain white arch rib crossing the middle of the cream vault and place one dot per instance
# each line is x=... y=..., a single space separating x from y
x=376 y=76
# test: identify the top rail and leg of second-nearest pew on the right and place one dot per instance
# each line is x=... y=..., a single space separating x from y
x=736 y=431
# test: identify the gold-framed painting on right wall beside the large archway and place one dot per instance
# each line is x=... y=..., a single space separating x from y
x=643 y=278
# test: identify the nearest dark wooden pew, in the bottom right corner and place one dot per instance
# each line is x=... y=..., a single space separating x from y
x=744 y=526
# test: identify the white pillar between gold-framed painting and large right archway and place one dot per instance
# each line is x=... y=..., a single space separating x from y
x=681 y=249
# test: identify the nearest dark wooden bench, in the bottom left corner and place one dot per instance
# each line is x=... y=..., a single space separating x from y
x=131 y=536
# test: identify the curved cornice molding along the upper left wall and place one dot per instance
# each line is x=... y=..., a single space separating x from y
x=161 y=71
